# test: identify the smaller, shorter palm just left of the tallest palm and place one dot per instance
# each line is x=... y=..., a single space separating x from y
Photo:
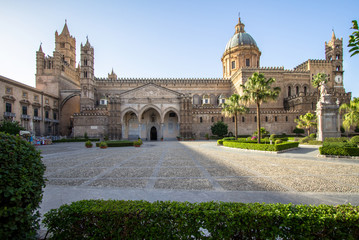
x=232 y=108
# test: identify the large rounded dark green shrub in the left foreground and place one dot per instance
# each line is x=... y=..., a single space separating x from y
x=21 y=183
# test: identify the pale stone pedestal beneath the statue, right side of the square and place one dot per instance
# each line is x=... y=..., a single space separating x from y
x=328 y=118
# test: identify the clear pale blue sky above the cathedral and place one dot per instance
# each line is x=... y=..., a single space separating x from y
x=174 y=38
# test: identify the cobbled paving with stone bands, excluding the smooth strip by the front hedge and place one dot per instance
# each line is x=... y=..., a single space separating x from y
x=198 y=165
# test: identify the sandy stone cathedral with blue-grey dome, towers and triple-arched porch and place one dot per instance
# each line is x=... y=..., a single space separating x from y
x=127 y=108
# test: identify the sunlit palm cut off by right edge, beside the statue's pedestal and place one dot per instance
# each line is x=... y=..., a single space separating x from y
x=351 y=116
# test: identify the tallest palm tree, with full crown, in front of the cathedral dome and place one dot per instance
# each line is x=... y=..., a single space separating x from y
x=258 y=90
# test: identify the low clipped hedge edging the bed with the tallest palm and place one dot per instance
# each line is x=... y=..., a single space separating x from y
x=262 y=147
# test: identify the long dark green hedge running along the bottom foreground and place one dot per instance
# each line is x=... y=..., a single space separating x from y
x=100 y=219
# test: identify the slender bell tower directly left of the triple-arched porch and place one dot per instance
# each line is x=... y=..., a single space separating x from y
x=87 y=78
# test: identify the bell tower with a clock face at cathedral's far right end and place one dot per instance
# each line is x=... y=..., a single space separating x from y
x=334 y=53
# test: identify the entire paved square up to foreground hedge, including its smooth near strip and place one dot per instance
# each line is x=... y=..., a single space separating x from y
x=196 y=171
